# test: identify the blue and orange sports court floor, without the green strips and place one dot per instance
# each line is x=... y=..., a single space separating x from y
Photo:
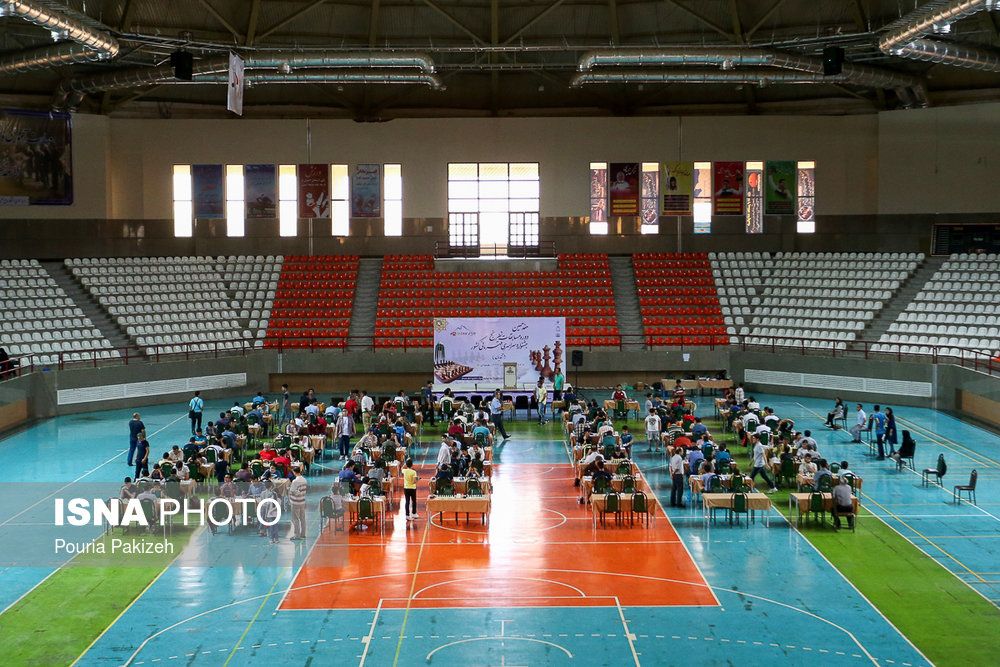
x=538 y=584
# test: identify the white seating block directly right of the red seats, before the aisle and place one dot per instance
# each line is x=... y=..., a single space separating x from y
x=816 y=300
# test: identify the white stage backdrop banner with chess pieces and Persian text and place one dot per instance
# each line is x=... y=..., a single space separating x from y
x=470 y=353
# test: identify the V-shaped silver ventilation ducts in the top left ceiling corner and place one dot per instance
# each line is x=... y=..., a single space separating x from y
x=96 y=42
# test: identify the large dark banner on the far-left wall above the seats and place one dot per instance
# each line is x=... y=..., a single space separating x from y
x=36 y=163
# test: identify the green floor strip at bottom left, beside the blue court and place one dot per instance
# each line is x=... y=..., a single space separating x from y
x=66 y=613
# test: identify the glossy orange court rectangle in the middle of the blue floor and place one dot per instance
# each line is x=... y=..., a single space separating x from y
x=539 y=548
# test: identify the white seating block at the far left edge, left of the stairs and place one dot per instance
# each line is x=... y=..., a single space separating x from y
x=40 y=321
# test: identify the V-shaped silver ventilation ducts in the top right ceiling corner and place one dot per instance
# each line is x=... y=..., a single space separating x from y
x=906 y=38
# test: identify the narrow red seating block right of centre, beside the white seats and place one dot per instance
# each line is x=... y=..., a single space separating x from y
x=678 y=299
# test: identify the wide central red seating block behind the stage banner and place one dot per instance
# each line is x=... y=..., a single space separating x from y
x=412 y=293
